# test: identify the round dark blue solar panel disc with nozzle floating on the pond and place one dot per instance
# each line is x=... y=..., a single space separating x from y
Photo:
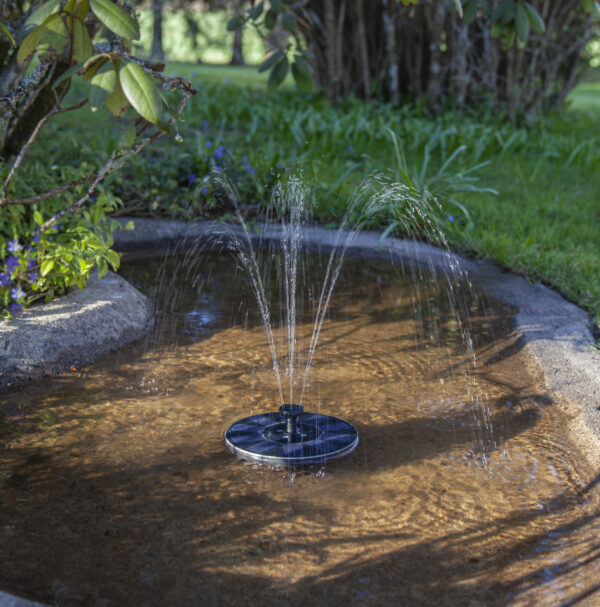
x=291 y=437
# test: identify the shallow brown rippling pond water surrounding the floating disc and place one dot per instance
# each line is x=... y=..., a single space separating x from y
x=116 y=487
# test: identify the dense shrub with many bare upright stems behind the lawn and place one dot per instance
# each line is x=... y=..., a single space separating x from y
x=521 y=56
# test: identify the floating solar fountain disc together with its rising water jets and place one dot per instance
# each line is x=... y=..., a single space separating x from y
x=291 y=436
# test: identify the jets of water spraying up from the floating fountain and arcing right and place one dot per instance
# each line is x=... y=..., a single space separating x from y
x=284 y=239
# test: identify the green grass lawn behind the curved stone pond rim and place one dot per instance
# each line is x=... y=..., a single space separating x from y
x=544 y=222
